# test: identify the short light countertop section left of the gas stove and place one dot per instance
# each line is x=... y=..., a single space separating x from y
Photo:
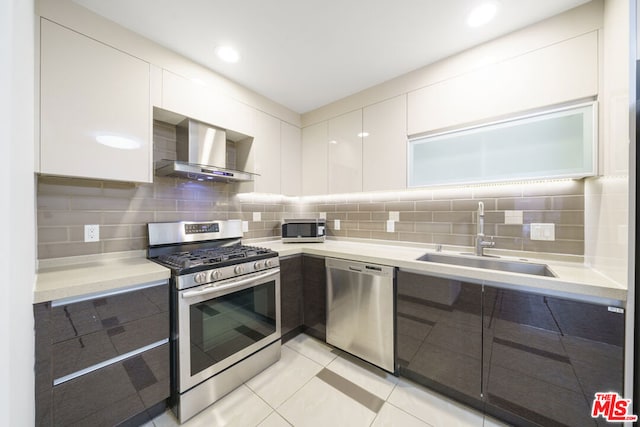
x=84 y=275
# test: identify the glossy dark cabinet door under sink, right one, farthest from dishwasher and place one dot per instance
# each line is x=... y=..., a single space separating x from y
x=546 y=357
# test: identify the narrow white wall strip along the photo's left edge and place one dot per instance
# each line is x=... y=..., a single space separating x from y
x=17 y=246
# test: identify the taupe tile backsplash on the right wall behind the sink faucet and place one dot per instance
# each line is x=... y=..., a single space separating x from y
x=448 y=216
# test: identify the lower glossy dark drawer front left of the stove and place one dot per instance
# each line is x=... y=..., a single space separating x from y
x=115 y=393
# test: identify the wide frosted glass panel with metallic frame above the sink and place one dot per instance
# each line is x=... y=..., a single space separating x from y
x=561 y=143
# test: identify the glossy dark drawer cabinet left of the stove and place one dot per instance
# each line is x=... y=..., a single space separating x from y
x=92 y=350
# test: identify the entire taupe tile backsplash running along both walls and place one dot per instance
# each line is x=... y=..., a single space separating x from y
x=440 y=216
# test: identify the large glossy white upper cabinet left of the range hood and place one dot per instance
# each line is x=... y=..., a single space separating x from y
x=95 y=111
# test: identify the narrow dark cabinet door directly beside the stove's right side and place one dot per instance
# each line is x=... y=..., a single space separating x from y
x=291 y=296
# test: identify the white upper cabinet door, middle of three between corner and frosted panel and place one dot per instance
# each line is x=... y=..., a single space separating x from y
x=345 y=153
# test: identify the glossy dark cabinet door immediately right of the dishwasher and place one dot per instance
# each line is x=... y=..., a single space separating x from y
x=439 y=333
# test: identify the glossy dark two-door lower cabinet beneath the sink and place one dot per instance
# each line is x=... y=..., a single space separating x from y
x=525 y=358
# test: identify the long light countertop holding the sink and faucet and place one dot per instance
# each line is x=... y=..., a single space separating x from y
x=574 y=279
